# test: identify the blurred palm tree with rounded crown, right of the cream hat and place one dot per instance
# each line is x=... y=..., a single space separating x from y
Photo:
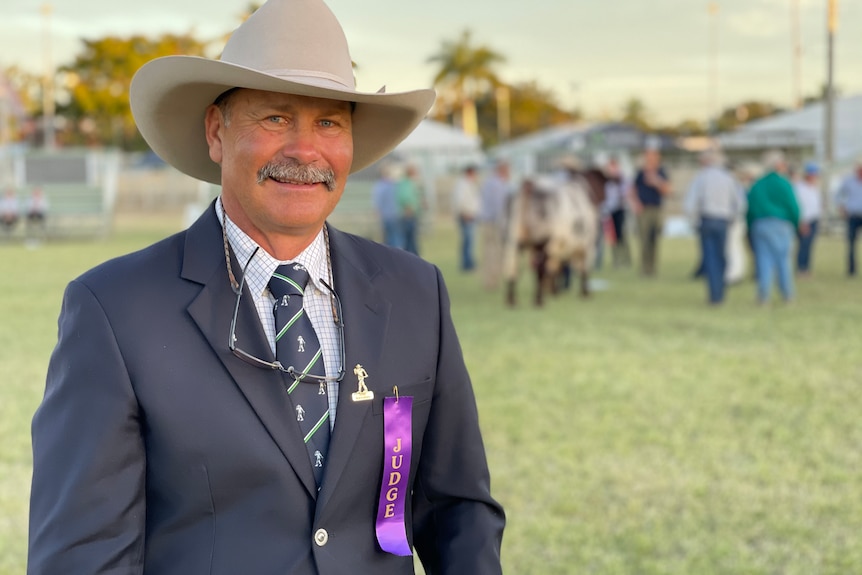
x=466 y=72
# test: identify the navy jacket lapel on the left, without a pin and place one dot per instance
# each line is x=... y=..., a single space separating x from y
x=212 y=310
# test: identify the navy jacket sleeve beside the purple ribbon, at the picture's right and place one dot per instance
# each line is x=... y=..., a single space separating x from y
x=458 y=526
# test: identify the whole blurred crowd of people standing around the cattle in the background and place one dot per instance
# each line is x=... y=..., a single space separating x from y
x=768 y=213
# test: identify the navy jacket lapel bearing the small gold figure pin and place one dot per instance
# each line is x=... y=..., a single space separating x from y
x=366 y=316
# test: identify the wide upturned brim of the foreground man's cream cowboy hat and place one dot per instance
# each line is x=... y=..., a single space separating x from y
x=169 y=97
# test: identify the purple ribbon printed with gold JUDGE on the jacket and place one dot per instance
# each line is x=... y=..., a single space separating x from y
x=398 y=445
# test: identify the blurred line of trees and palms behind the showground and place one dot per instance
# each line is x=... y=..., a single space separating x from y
x=92 y=103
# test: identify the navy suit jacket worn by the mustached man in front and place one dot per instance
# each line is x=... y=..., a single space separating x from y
x=157 y=451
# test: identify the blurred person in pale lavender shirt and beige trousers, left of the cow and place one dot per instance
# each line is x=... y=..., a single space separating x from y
x=493 y=196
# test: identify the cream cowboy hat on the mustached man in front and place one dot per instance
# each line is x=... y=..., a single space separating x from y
x=287 y=46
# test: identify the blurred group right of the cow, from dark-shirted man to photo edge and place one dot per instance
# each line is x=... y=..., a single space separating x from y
x=777 y=212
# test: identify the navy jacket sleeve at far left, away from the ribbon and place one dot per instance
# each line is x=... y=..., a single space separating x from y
x=87 y=508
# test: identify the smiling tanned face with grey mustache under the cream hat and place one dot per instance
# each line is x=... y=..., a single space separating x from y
x=284 y=161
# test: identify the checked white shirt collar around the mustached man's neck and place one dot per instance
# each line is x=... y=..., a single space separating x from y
x=263 y=265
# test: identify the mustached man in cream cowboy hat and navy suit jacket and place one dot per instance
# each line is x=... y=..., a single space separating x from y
x=169 y=441
